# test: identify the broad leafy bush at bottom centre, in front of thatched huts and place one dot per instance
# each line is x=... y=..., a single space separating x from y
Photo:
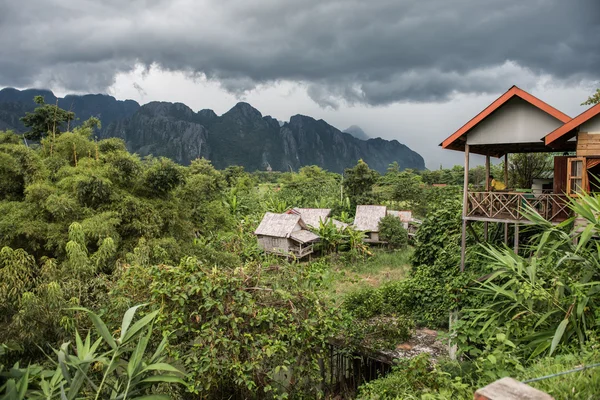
x=239 y=331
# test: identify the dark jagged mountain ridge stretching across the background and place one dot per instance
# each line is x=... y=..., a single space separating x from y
x=240 y=136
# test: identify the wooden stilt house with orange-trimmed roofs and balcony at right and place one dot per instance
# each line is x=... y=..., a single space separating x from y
x=518 y=122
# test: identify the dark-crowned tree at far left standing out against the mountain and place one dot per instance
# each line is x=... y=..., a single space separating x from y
x=46 y=119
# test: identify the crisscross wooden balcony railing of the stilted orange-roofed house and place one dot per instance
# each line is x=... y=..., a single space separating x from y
x=509 y=206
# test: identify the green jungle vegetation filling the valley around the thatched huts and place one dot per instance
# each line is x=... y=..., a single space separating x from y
x=127 y=277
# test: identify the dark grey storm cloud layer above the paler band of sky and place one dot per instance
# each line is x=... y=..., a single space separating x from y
x=373 y=52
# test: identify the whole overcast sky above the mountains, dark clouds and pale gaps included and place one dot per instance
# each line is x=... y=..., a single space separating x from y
x=414 y=71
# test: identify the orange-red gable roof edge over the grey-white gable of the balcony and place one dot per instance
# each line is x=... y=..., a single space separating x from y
x=452 y=142
